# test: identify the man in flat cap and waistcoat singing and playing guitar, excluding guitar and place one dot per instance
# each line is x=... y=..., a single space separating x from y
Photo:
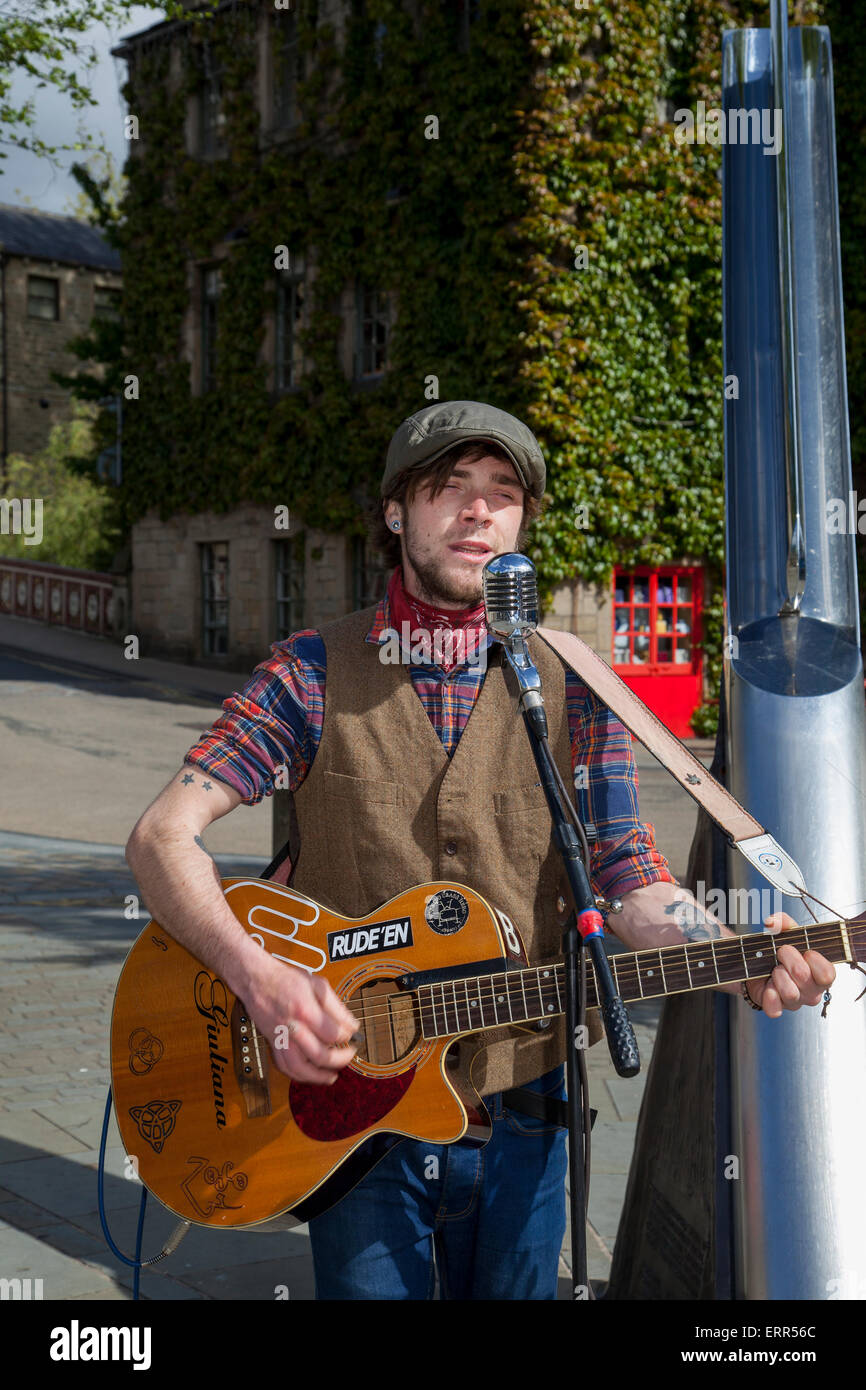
x=350 y=711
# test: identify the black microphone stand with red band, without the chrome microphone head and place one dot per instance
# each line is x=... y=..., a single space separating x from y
x=586 y=931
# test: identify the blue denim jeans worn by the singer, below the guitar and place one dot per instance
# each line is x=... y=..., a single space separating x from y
x=496 y=1217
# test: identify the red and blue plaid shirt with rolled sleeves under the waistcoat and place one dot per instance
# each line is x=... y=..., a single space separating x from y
x=276 y=723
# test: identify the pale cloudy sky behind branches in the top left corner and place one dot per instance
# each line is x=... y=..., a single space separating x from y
x=28 y=181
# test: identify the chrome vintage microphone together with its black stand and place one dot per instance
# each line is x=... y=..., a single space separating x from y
x=511 y=605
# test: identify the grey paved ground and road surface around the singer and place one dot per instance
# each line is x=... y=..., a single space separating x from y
x=79 y=771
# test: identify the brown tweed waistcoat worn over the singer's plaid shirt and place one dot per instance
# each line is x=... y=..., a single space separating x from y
x=383 y=801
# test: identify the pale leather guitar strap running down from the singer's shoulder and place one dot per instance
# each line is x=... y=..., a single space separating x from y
x=743 y=831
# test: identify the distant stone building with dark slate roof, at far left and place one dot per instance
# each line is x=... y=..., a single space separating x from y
x=56 y=276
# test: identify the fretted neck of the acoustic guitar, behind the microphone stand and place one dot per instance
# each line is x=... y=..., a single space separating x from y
x=487 y=1001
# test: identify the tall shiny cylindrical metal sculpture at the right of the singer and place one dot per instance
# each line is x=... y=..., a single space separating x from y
x=794 y=686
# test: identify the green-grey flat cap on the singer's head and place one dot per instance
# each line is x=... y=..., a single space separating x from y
x=441 y=426
